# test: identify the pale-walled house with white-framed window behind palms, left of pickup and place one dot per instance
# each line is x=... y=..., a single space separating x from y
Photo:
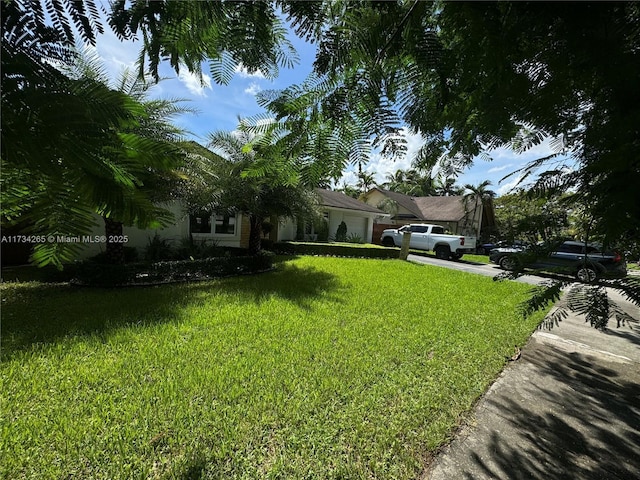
x=233 y=230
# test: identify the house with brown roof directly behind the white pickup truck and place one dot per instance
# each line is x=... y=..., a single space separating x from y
x=459 y=216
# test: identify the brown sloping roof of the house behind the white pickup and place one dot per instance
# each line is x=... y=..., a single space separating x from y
x=444 y=209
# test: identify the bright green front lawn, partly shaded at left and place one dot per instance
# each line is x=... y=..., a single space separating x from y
x=326 y=368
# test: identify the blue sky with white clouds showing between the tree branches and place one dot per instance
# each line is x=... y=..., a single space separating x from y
x=220 y=106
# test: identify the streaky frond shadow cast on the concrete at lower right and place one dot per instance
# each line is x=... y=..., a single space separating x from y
x=586 y=426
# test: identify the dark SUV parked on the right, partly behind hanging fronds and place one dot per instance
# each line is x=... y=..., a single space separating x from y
x=567 y=257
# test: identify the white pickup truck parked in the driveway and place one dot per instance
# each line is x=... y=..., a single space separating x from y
x=430 y=237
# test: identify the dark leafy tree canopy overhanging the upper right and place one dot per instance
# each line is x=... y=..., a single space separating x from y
x=472 y=76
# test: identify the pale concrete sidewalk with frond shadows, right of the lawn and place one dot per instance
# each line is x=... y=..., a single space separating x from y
x=569 y=408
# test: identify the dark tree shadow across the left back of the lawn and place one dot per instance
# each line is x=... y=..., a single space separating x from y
x=40 y=314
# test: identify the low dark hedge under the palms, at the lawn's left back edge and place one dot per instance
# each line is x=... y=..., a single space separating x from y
x=104 y=275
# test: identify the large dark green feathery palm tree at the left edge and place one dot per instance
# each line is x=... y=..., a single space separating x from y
x=122 y=146
